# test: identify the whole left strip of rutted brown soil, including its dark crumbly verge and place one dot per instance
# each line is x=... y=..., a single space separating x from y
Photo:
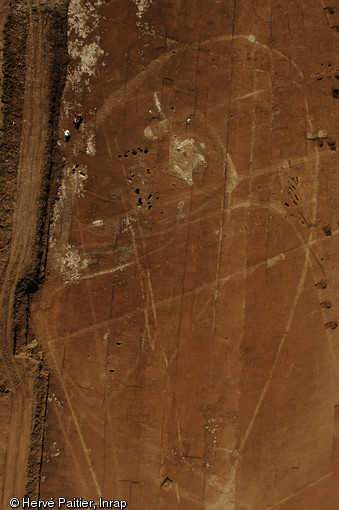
x=30 y=97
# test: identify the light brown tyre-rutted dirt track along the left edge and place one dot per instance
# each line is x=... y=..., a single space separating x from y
x=27 y=382
